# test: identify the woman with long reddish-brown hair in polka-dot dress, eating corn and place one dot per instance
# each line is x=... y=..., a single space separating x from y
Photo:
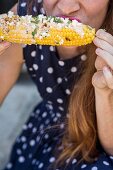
x=67 y=130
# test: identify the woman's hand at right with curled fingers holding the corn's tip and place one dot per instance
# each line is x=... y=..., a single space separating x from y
x=103 y=78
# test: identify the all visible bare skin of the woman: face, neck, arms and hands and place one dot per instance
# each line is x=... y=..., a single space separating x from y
x=92 y=13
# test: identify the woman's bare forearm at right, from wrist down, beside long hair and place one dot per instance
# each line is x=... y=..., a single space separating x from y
x=104 y=114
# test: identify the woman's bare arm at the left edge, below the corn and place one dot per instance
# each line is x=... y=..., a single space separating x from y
x=10 y=65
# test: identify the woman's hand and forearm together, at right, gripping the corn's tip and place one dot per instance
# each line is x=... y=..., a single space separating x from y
x=103 y=85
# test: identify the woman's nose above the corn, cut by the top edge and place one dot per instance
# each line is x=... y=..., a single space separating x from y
x=68 y=6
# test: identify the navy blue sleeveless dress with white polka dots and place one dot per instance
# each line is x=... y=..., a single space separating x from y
x=54 y=78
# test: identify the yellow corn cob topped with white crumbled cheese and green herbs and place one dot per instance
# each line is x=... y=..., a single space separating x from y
x=44 y=30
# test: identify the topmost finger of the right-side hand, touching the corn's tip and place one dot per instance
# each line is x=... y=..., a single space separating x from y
x=102 y=34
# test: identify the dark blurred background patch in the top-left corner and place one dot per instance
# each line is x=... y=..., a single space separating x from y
x=6 y=5
